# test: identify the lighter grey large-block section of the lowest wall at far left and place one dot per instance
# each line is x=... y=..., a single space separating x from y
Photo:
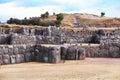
x=16 y=53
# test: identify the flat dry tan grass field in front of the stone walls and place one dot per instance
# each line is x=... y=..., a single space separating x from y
x=89 y=69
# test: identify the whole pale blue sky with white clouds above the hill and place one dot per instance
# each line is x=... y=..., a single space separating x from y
x=29 y=8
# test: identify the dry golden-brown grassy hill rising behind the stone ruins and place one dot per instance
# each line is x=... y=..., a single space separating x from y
x=81 y=20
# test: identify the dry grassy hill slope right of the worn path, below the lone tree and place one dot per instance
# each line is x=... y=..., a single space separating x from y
x=95 y=20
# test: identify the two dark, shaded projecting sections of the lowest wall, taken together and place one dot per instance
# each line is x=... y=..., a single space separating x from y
x=56 y=53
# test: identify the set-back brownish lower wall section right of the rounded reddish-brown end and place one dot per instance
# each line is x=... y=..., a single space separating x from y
x=107 y=50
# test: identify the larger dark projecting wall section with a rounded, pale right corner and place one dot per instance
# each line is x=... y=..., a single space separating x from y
x=48 y=54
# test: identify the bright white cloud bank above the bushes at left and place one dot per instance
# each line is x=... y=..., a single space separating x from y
x=8 y=10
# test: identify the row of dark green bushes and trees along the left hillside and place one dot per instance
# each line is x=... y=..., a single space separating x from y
x=36 y=20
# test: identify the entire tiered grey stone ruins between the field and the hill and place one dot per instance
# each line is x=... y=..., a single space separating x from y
x=52 y=44
